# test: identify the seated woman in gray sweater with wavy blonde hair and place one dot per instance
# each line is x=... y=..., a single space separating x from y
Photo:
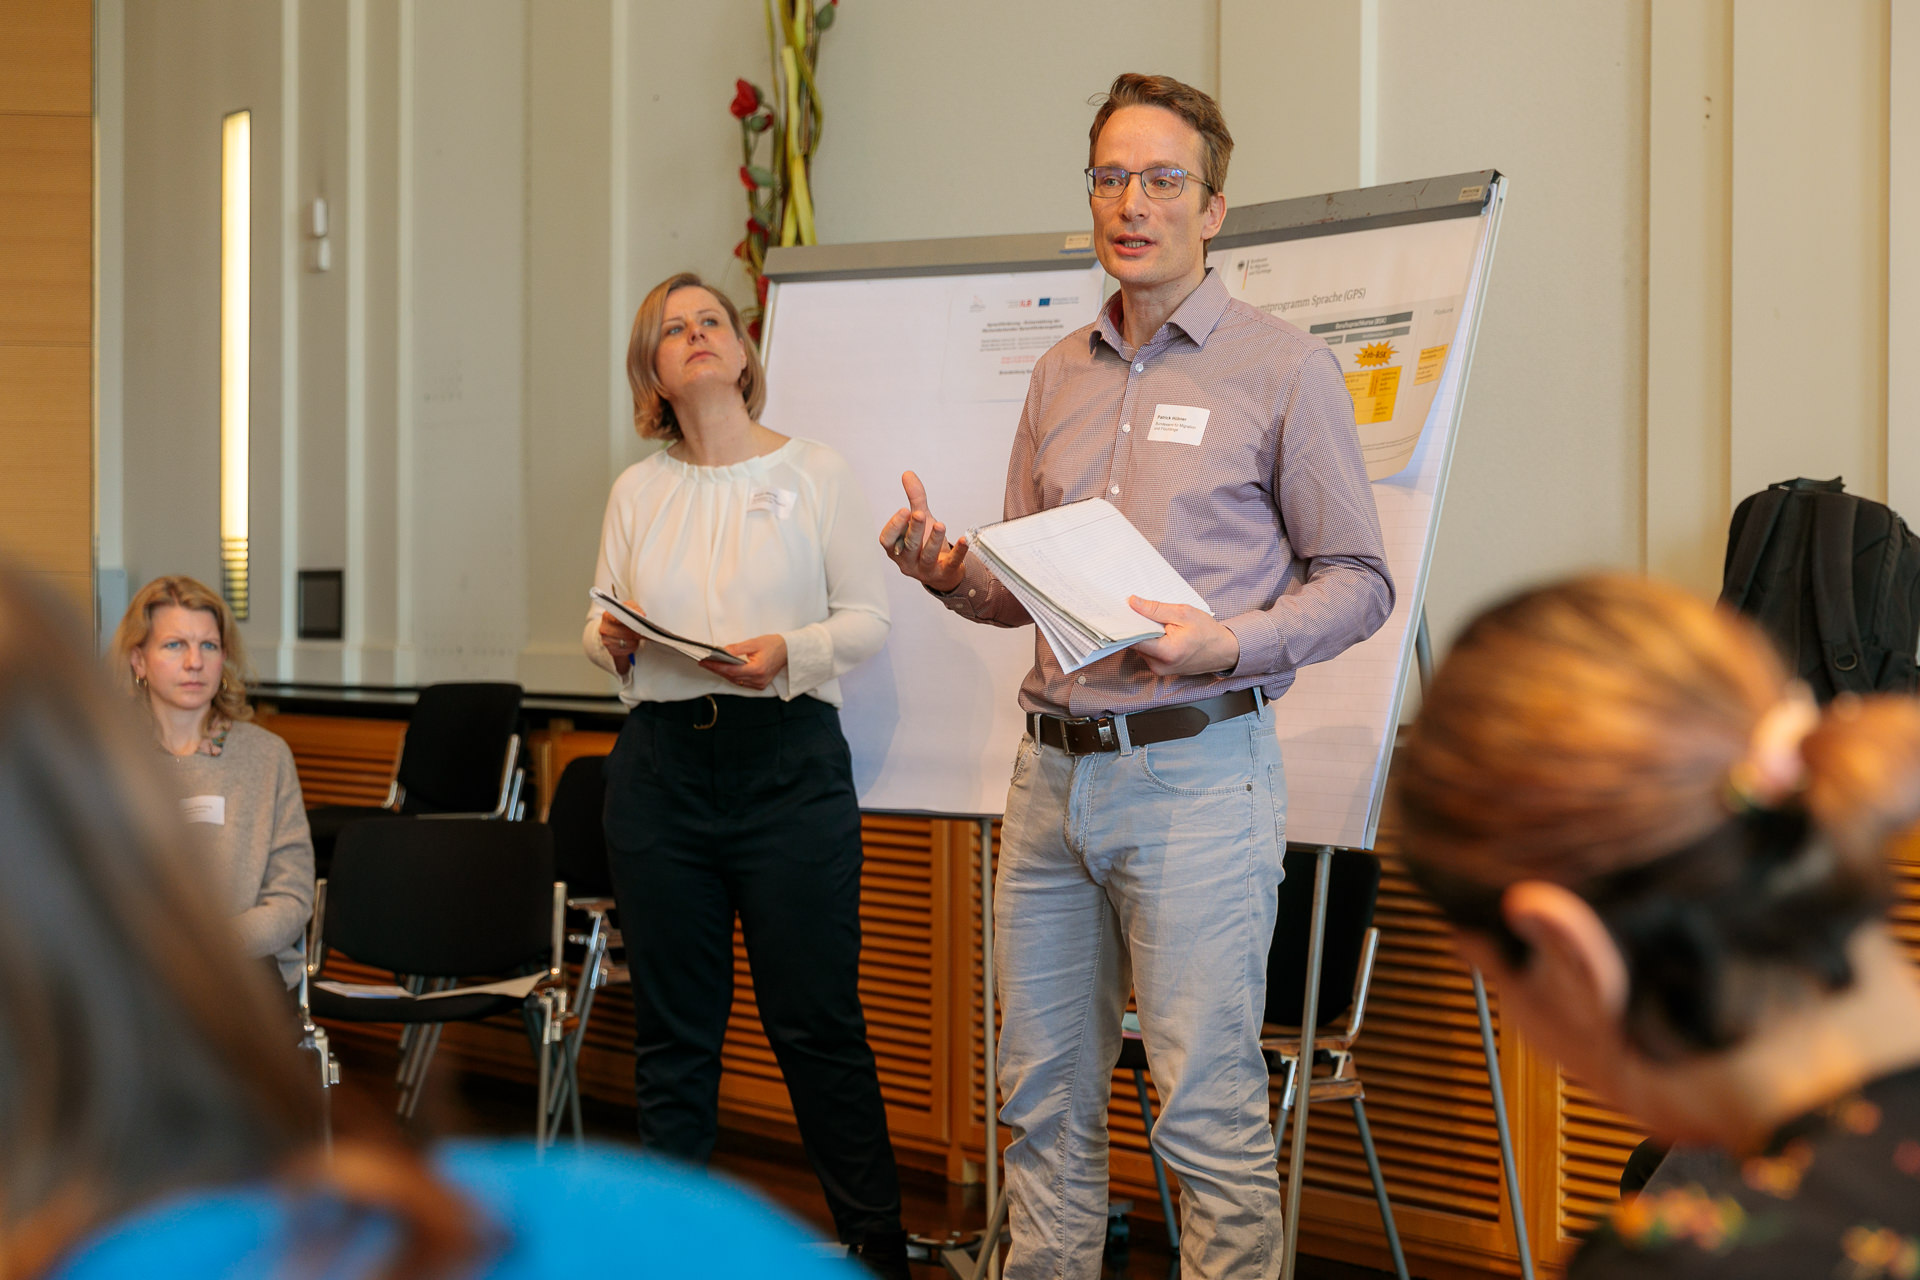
x=180 y=655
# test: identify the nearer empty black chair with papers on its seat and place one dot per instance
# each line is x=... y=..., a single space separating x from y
x=437 y=903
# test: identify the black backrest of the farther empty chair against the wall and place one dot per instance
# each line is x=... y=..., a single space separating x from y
x=458 y=747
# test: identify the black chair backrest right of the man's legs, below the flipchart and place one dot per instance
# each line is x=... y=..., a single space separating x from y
x=1355 y=886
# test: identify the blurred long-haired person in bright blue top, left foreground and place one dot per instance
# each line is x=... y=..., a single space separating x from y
x=156 y=1118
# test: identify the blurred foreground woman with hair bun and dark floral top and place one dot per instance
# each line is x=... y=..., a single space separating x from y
x=1673 y=868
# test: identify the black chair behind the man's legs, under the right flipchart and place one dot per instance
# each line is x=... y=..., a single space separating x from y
x=1347 y=970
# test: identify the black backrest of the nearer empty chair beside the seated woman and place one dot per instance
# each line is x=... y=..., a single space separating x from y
x=444 y=899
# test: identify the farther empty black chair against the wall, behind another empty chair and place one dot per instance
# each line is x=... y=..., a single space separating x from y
x=462 y=759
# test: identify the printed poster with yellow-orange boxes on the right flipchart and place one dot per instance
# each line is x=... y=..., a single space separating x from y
x=1387 y=302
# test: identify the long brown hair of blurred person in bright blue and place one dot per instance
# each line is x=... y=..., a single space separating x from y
x=139 y=1056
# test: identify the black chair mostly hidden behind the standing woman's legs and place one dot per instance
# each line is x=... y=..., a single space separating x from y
x=577 y=820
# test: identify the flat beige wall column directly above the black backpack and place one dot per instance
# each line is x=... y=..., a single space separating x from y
x=1810 y=270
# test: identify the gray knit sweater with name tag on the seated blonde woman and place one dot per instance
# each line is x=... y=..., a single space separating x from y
x=258 y=857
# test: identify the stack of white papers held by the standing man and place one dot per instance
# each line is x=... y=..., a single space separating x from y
x=1074 y=569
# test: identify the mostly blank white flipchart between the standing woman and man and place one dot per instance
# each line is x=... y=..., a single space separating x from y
x=875 y=369
